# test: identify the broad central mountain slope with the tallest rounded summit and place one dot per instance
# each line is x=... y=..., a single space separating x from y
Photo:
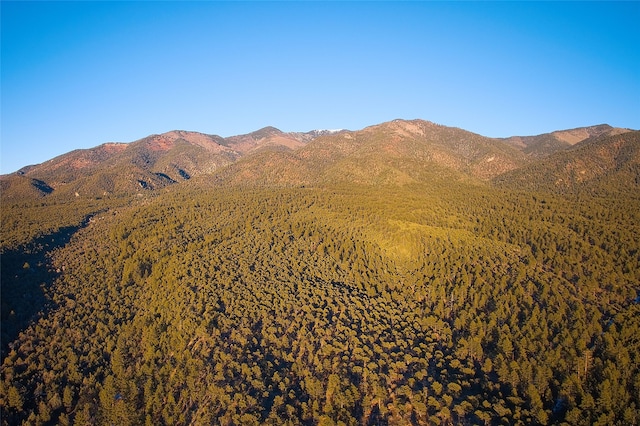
x=398 y=151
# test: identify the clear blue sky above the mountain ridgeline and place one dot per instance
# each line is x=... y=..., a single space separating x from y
x=78 y=74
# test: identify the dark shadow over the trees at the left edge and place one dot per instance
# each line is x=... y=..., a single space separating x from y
x=25 y=276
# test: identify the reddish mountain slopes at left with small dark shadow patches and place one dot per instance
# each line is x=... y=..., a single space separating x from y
x=150 y=163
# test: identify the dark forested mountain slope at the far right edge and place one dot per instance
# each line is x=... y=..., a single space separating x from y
x=600 y=164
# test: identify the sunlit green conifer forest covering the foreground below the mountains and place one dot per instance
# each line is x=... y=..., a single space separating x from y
x=449 y=303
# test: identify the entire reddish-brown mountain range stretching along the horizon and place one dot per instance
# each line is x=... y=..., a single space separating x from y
x=394 y=152
